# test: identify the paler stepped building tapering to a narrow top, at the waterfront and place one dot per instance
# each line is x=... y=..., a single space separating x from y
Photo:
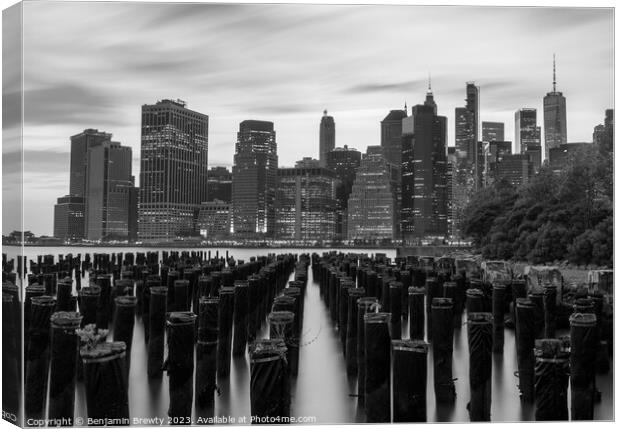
x=372 y=203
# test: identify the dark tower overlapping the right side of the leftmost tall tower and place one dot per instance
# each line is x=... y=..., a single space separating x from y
x=109 y=185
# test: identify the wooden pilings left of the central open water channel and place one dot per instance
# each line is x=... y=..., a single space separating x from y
x=189 y=302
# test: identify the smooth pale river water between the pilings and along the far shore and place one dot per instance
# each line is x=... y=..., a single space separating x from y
x=322 y=390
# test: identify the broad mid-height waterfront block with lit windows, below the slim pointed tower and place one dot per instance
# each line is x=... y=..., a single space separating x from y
x=306 y=202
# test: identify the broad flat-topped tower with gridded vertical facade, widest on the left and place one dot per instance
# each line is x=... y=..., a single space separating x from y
x=173 y=169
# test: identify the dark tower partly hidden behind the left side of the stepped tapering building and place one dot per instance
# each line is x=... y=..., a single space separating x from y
x=344 y=162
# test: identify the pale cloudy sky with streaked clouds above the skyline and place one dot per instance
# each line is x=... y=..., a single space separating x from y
x=93 y=65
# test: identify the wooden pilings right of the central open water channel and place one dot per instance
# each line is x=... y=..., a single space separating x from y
x=370 y=298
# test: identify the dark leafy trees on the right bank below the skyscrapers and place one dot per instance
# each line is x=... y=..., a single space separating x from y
x=557 y=216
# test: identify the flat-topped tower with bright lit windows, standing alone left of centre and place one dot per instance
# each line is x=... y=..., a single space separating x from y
x=254 y=179
